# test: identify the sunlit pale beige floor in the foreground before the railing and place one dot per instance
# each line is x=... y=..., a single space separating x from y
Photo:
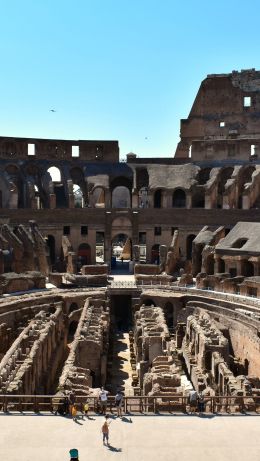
x=146 y=438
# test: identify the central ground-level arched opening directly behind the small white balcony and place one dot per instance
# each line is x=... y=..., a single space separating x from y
x=121 y=254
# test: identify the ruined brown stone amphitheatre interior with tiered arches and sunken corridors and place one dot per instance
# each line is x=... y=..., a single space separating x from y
x=142 y=275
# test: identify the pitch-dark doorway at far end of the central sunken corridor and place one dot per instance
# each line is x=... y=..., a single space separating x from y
x=121 y=307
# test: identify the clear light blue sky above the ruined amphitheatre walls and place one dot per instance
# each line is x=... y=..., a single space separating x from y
x=117 y=69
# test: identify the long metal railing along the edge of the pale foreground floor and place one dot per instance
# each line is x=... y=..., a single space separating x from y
x=133 y=404
